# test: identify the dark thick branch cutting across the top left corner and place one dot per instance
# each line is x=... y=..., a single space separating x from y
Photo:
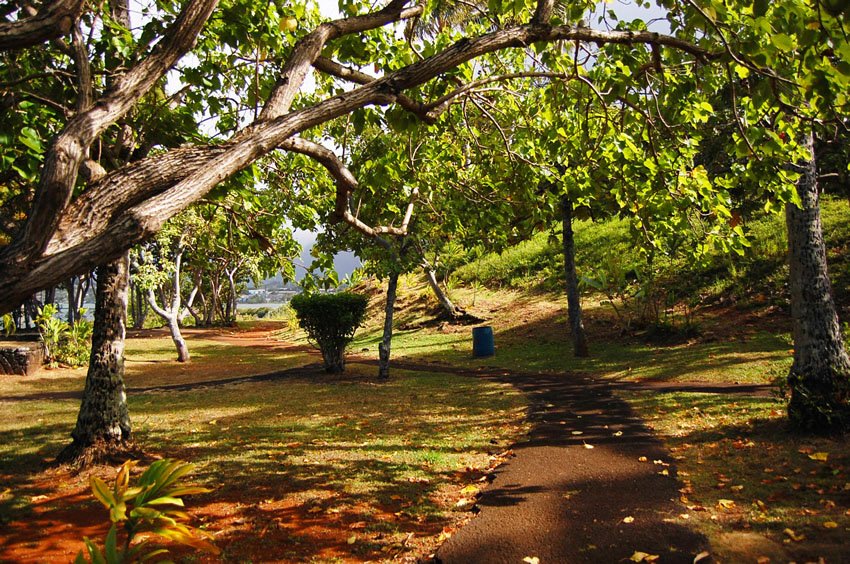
x=53 y=20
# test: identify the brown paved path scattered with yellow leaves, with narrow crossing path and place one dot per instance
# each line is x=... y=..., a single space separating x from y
x=590 y=484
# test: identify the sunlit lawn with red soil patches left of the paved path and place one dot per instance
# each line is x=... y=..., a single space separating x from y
x=301 y=467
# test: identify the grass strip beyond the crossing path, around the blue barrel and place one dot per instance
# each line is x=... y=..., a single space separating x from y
x=756 y=358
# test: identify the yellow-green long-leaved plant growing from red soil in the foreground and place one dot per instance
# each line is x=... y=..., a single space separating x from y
x=138 y=510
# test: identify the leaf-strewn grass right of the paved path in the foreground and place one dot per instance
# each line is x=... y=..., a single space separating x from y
x=744 y=472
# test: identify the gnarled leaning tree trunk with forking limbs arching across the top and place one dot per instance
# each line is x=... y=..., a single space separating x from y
x=66 y=233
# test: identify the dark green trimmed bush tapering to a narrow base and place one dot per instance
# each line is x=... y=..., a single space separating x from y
x=330 y=321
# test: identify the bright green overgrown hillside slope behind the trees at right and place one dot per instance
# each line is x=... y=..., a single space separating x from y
x=607 y=249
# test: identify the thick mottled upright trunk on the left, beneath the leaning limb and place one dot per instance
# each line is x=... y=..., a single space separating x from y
x=103 y=428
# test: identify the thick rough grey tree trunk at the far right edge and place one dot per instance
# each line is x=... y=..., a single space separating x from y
x=820 y=374
